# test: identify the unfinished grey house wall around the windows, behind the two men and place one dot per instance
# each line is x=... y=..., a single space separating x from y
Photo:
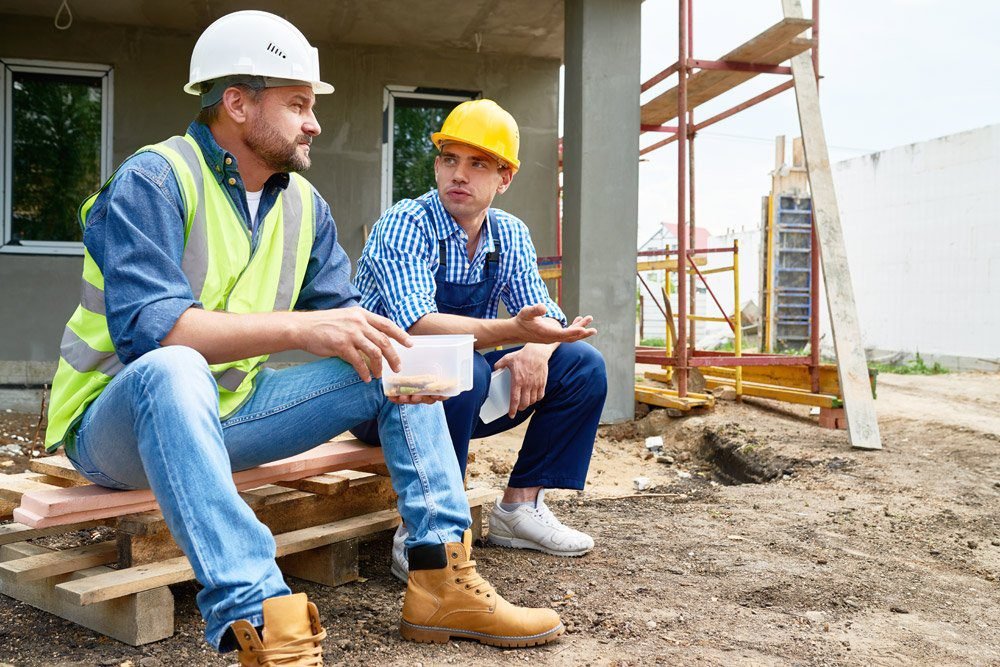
x=150 y=67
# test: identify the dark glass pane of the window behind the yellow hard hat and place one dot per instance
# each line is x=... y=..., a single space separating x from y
x=413 y=153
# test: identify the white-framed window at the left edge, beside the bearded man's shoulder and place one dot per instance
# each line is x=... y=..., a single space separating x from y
x=55 y=143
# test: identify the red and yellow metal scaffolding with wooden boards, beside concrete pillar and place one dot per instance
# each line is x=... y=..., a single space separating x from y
x=699 y=81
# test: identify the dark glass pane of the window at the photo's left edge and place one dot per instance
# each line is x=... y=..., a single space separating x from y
x=56 y=153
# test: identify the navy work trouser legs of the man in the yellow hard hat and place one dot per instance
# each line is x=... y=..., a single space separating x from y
x=560 y=438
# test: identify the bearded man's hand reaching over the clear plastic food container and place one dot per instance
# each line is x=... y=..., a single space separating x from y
x=355 y=335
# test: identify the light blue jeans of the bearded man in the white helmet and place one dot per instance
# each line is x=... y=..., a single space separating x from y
x=157 y=426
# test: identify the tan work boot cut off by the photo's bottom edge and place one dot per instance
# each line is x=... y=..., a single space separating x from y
x=292 y=634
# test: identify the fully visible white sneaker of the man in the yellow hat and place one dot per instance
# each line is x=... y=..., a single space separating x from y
x=535 y=527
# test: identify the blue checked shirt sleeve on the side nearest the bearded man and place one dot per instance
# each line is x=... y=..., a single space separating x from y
x=395 y=274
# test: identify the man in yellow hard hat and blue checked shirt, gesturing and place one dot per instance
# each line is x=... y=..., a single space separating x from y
x=441 y=264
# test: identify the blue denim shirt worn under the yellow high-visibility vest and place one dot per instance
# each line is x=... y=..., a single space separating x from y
x=135 y=234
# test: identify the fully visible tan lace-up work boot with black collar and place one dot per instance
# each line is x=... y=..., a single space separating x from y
x=446 y=597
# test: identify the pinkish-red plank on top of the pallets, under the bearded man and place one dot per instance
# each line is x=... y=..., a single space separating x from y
x=47 y=508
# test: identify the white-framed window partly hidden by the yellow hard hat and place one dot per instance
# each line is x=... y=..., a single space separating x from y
x=409 y=116
